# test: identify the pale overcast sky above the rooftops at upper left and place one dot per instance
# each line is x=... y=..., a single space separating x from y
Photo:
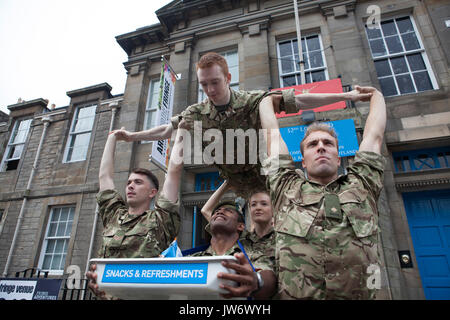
x=49 y=47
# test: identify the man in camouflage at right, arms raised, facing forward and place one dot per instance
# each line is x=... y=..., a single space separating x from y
x=326 y=226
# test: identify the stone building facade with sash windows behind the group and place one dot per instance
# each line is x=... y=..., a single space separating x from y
x=408 y=59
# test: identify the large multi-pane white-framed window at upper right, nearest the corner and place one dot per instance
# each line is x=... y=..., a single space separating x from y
x=400 y=59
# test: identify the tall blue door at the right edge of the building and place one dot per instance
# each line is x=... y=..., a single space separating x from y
x=428 y=216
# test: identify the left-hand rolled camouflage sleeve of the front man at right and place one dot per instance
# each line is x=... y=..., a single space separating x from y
x=280 y=173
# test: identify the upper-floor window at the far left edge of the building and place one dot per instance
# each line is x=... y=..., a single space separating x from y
x=16 y=145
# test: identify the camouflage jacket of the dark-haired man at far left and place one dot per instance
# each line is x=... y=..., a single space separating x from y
x=136 y=236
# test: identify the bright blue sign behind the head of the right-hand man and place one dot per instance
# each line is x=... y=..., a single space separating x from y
x=345 y=130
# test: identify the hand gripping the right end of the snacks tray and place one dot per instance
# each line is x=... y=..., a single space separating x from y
x=245 y=277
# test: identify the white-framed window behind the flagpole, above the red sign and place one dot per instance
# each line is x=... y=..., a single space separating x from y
x=288 y=61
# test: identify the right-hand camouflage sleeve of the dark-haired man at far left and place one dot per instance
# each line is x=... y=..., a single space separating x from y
x=168 y=216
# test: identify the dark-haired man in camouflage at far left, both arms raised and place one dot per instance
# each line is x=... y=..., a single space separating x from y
x=131 y=230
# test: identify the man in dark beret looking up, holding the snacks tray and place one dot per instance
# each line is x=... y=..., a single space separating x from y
x=226 y=227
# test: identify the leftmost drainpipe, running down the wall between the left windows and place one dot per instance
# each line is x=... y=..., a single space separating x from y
x=46 y=121
